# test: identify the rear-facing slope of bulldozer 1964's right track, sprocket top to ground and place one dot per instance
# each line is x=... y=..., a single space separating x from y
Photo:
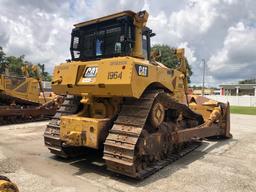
x=120 y=145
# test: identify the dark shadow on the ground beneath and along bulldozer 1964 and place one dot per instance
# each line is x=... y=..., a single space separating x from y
x=92 y=162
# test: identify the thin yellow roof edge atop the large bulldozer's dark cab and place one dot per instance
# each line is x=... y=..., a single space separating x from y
x=105 y=18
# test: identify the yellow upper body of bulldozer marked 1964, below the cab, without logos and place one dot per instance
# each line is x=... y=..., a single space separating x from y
x=129 y=85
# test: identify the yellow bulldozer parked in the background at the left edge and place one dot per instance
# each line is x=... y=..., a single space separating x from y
x=23 y=98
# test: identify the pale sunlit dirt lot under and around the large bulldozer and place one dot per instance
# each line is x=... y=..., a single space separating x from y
x=227 y=165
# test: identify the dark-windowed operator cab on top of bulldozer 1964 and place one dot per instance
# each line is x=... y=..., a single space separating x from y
x=108 y=37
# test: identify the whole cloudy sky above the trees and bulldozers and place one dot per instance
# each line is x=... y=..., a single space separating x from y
x=222 y=32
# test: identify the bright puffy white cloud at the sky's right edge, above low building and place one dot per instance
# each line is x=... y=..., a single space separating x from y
x=237 y=59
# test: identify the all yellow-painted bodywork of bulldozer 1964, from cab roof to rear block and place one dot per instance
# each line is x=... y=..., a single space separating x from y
x=110 y=80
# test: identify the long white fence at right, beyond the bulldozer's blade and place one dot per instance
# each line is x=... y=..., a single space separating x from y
x=235 y=100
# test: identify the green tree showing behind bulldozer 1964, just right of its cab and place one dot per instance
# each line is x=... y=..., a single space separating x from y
x=169 y=58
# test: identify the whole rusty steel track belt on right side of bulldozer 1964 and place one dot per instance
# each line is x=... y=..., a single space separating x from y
x=120 y=145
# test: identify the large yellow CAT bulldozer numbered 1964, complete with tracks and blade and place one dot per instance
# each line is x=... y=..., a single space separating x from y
x=119 y=99
